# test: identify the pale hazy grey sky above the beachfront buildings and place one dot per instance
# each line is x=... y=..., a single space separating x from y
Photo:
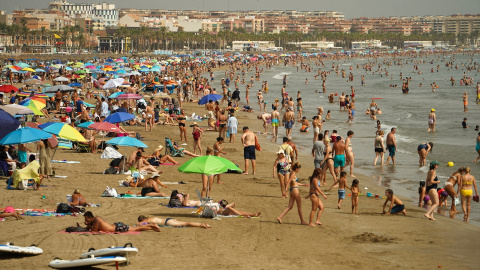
x=351 y=8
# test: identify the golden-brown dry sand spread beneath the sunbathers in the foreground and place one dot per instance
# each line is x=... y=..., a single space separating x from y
x=344 y=241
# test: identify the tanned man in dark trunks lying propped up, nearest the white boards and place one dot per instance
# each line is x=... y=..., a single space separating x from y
x=96 y=224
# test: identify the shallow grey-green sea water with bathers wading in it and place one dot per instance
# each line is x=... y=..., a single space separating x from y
x=407 y=112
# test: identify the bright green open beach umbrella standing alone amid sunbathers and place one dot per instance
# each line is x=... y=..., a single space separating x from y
x=208 y=165
